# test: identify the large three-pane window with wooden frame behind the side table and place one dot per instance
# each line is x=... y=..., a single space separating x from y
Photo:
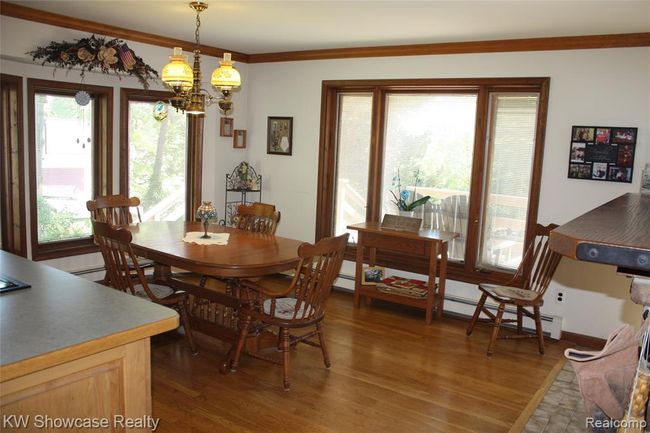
x=473 y=145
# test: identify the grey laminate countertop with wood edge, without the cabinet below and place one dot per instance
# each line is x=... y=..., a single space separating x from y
x=63 y=317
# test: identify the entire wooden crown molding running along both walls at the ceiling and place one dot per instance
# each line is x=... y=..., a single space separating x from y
x=623 y=40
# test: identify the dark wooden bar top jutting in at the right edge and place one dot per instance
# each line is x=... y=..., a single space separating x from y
x=623 y=223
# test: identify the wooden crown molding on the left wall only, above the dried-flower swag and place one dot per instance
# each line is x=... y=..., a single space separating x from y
x=31 y=14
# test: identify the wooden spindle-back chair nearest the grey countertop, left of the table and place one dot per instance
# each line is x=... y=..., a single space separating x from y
x=126 y=275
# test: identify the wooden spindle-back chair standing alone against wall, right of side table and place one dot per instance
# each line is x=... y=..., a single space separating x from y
x=537 y=268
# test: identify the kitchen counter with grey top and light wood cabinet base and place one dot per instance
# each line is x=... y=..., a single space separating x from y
x=67 y=336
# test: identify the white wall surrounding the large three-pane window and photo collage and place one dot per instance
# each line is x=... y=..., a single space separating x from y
x=588 y=87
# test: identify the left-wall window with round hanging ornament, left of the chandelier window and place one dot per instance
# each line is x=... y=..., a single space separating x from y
x=70 y=153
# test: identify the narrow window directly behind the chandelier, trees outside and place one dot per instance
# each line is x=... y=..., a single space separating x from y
x=154 y=157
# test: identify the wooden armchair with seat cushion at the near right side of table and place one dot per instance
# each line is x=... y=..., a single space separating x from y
x=300 y=304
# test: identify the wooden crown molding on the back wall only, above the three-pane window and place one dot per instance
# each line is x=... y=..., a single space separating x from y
x=507 y=45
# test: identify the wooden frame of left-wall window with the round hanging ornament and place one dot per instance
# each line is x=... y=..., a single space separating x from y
x=102 y=160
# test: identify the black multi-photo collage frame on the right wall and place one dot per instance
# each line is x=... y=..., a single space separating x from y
x=602 y=153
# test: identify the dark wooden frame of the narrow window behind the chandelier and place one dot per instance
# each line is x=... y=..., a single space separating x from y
x=194 y=155
